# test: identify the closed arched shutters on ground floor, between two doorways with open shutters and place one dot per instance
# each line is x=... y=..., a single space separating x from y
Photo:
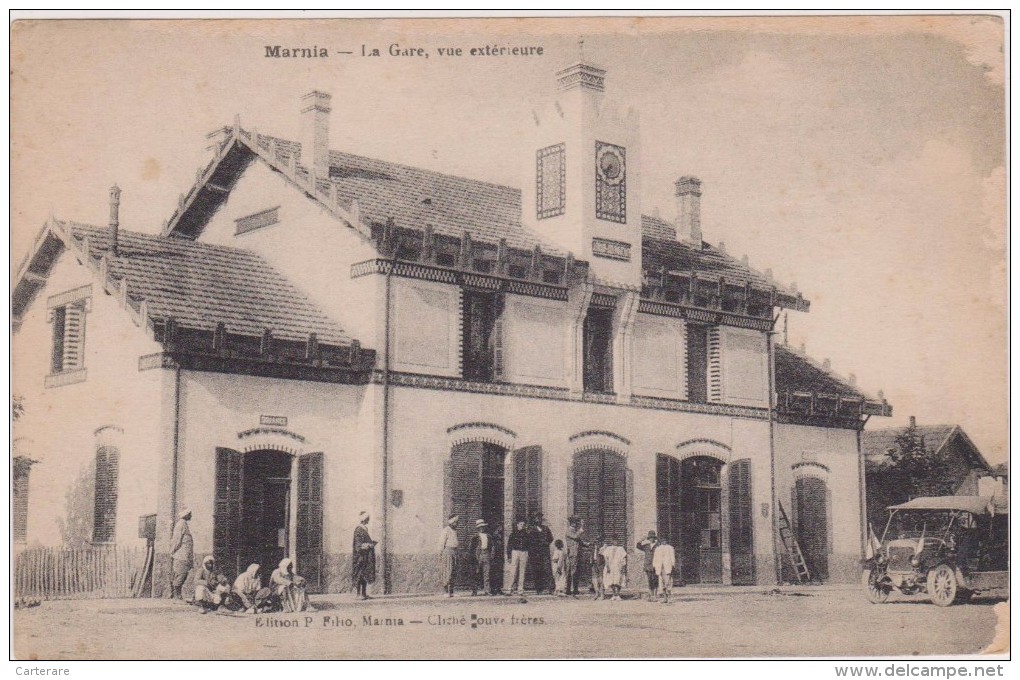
x=601 y=495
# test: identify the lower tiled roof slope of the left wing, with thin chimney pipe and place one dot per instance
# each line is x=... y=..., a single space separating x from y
x=201 y=285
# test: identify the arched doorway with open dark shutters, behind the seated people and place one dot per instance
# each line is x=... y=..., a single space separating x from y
x=261 y=518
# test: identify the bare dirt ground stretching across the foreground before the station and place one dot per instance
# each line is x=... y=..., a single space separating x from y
x=822 y=621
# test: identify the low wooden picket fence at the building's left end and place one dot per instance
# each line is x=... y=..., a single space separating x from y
x=57 y=573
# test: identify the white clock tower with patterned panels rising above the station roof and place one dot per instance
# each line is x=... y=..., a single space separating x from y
x=582 y=185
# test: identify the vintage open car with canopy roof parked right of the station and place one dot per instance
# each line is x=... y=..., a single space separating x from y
x=948 y=548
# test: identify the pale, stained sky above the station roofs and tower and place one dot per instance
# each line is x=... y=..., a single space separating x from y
x=861 y=159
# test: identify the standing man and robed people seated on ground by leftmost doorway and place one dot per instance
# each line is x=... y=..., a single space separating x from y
x=286 y=593
